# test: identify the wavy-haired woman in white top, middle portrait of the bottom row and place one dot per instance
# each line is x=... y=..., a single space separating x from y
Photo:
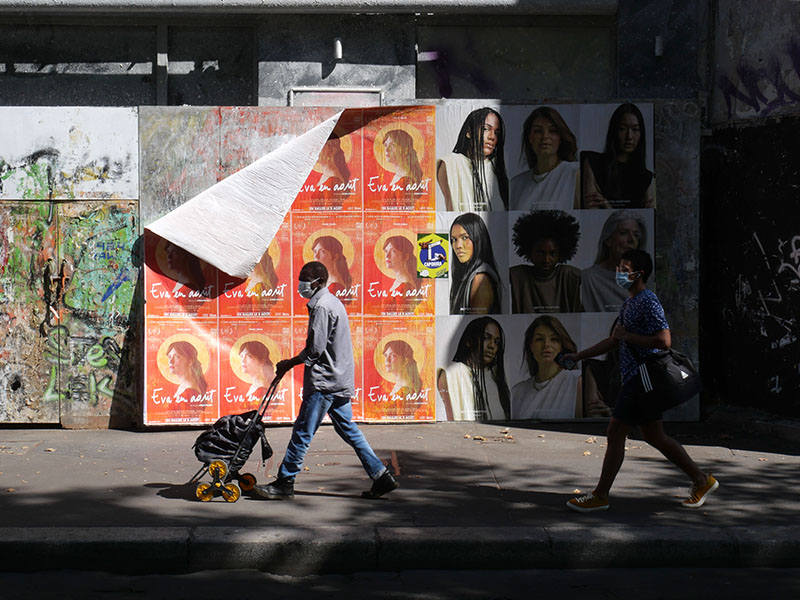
x=551 y=392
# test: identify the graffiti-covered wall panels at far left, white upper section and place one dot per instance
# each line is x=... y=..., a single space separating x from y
x=67 y=274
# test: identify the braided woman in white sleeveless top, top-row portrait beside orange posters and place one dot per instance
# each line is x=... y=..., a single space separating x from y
x=473 y=176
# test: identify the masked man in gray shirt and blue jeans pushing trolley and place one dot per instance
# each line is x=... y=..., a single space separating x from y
x=328 y=385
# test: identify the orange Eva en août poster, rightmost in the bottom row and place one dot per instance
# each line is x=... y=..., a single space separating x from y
x=398 y=374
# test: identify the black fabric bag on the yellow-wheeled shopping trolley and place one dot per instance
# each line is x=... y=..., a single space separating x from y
x=230 y=434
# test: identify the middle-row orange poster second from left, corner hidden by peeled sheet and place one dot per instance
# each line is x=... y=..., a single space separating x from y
x=268 y=290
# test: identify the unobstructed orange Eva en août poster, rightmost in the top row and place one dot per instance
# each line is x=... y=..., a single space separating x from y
x=399 y=158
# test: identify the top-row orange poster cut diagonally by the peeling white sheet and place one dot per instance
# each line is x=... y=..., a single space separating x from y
x=335 y=182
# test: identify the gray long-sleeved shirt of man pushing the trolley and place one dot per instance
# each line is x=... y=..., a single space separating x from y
x=328 y=355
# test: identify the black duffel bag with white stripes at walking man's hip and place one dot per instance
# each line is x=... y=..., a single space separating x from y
x=668 y=378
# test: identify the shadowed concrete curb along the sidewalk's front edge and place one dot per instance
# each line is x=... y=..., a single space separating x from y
x=296 y=551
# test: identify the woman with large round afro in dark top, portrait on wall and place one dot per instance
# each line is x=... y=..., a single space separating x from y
x=546 y=239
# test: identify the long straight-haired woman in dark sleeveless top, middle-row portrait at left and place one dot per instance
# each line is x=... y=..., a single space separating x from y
x=475 y=286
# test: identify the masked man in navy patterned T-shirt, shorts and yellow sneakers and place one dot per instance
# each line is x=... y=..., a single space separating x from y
x=642 y=329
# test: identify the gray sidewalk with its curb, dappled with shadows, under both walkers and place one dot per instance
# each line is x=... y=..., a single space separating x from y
x=472 y=496
